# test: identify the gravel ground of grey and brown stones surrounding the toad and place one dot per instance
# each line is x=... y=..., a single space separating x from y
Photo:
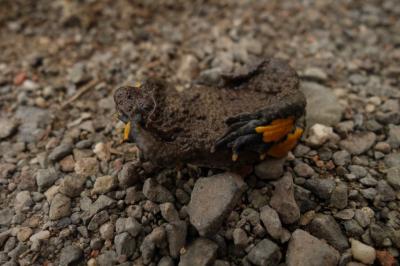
x=72 y=194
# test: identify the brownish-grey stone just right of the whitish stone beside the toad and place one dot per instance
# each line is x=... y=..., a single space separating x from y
x=358 y=143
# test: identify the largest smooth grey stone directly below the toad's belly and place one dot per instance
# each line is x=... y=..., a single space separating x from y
x=212 y=200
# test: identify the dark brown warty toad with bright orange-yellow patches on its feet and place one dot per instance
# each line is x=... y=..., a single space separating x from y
x=246 y=118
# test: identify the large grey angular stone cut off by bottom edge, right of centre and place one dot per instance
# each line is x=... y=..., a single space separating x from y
x=305 y=249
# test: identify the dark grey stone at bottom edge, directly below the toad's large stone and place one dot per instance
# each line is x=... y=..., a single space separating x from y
x=201 y=252
